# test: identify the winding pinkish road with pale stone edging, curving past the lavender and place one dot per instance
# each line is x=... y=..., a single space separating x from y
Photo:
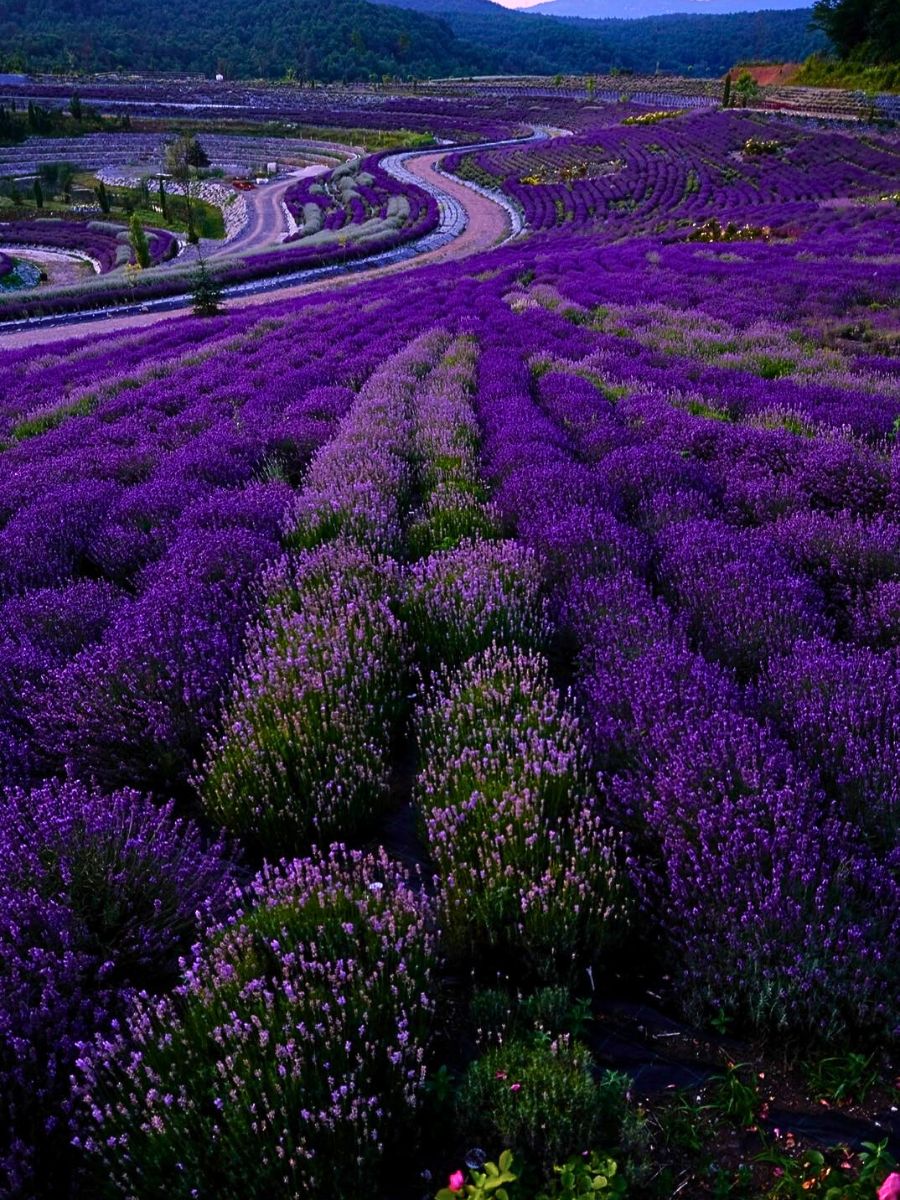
x=472 y=220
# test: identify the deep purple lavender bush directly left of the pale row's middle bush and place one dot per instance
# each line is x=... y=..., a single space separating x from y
x=136 y=706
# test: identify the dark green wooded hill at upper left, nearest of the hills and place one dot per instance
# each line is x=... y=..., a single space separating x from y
x=328 y=40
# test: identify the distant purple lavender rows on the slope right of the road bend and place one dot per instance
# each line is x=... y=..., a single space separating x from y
x=685 y=169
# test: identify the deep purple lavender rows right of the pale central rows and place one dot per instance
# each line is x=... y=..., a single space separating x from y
x=747 y=748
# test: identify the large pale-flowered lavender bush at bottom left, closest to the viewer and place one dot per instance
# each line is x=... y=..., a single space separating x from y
x=290 y=1060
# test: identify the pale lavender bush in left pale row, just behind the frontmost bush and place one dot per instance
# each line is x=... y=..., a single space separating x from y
x=304 y=751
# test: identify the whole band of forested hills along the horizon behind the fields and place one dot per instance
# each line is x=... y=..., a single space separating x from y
x=345 y=40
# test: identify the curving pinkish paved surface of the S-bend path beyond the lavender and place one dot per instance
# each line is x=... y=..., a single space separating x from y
x=484 y=221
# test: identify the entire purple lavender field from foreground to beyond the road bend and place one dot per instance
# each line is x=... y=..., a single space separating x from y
x=458 y=713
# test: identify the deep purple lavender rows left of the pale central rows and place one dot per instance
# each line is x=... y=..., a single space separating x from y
x=146 y=524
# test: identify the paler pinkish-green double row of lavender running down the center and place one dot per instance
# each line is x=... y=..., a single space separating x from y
x=305 y=753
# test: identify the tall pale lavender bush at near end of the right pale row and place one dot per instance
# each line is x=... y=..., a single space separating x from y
x=529 y=867
